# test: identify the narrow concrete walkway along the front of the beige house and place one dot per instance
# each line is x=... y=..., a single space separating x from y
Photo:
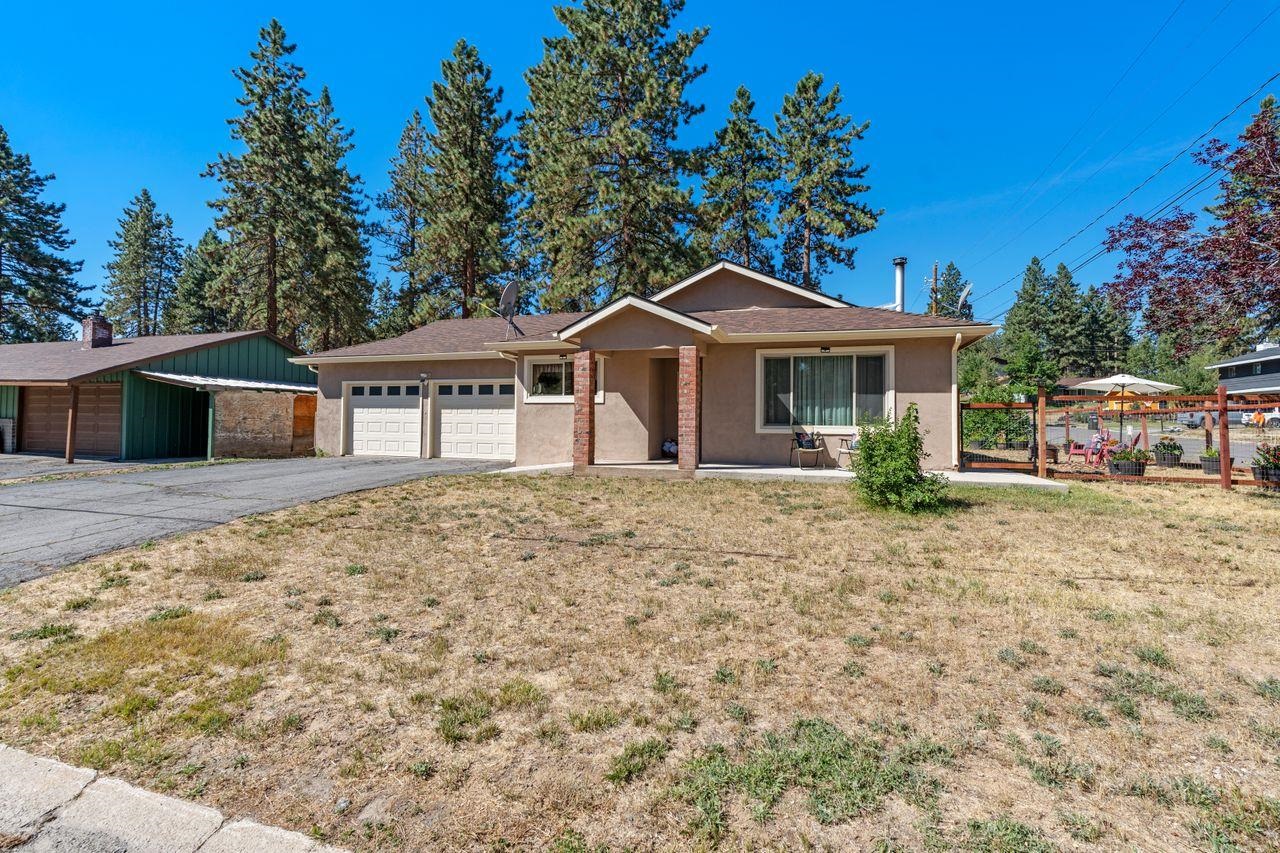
x=728 y=472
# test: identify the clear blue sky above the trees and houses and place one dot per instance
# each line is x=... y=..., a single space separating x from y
x=970 y=106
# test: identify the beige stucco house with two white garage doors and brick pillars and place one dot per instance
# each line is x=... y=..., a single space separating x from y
x=726 y=363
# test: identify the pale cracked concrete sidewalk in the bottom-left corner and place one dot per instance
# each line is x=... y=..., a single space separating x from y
x=49 y=806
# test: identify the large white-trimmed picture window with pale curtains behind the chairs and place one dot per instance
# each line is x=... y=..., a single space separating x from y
x=819 y=390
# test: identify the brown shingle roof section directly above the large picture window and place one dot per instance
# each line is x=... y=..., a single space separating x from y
x=780 y=321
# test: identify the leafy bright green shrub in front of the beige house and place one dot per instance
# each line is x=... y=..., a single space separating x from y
x=888 y=464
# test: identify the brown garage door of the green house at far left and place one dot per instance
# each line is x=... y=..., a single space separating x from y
x=98 y=421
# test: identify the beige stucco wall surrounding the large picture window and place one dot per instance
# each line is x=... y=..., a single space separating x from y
x=922 y=375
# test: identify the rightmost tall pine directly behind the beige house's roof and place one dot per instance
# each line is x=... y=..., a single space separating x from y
x=820 y=213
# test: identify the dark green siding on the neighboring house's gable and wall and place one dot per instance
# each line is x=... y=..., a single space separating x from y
x=163 y=421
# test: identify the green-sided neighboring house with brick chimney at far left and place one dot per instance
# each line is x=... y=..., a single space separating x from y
x=231 y=394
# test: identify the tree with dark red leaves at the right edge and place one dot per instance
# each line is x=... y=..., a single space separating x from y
x=1215 y=279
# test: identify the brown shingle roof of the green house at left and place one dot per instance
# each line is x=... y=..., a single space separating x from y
x=70 y=361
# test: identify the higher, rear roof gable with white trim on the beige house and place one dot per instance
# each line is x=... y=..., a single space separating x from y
x=726 y=285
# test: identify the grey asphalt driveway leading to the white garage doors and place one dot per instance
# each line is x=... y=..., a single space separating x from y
x=54 y=524
